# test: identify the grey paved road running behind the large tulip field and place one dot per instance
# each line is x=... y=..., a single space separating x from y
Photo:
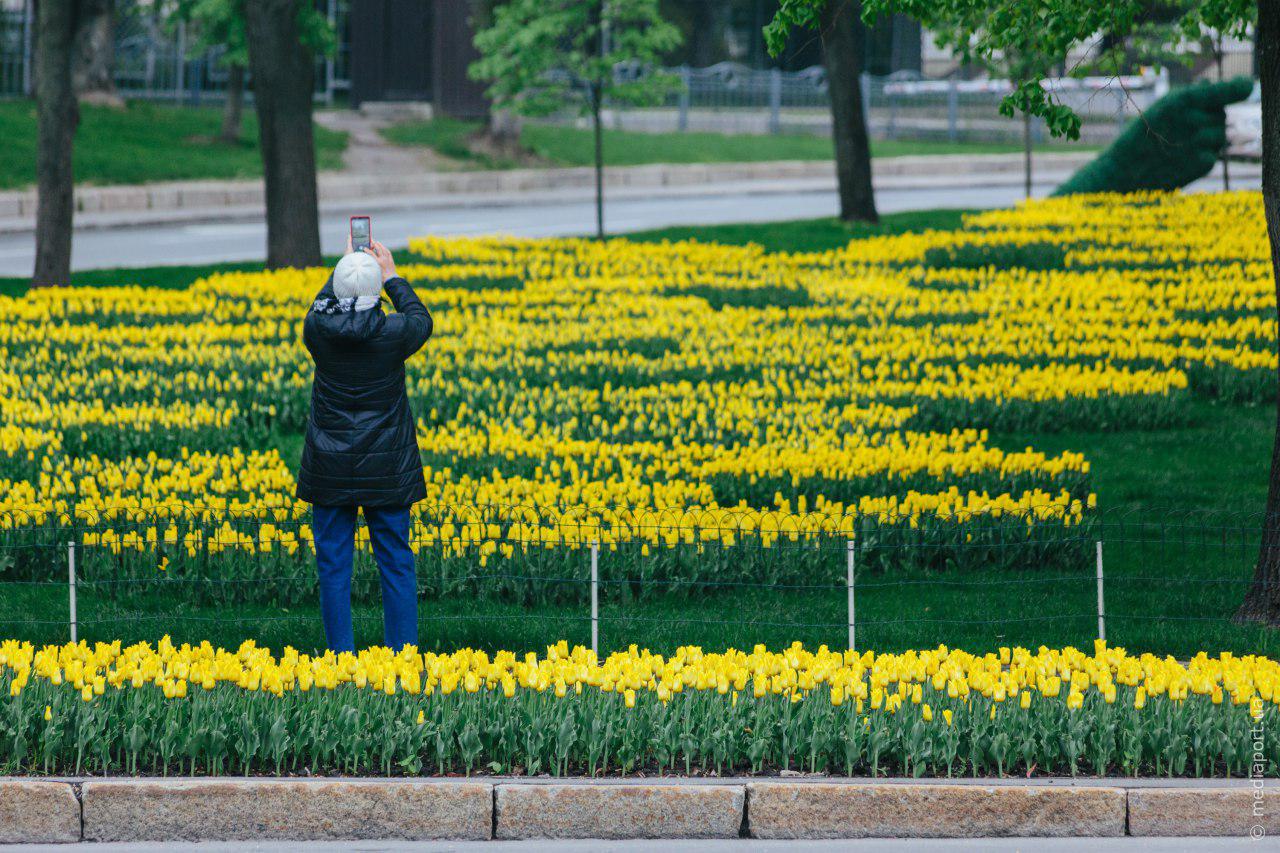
x=532 y=216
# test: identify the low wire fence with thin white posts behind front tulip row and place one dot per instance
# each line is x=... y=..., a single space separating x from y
x=495 y=578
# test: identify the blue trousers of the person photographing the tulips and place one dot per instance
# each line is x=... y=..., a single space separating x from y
x=335 y=530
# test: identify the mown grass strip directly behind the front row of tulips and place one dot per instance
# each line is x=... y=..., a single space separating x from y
x=976 y=612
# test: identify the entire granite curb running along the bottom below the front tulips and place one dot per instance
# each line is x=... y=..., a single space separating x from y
x=222 y=810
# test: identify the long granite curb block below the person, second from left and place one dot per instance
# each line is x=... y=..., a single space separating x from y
x=231 y=810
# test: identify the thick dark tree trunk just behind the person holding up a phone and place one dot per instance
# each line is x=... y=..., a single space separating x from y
x=284 y=74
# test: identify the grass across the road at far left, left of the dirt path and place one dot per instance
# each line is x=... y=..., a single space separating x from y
x=147 y=143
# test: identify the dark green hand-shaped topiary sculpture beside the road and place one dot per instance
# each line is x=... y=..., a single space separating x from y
x=1174 y=143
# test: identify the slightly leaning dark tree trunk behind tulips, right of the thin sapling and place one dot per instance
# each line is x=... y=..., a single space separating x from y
x=843 y=38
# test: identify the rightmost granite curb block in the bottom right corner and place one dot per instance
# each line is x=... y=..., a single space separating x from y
x=1203 y=811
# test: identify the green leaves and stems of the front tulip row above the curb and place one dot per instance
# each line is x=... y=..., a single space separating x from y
x=460 y=728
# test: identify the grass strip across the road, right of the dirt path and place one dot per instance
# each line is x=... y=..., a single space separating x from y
x=569 y=147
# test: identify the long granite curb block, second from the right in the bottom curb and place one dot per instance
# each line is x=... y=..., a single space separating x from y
x=830 y=811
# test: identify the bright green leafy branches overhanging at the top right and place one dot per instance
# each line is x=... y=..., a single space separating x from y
x=1039 y=34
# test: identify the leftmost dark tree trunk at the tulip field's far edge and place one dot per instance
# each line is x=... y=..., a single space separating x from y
x=57 y=22
